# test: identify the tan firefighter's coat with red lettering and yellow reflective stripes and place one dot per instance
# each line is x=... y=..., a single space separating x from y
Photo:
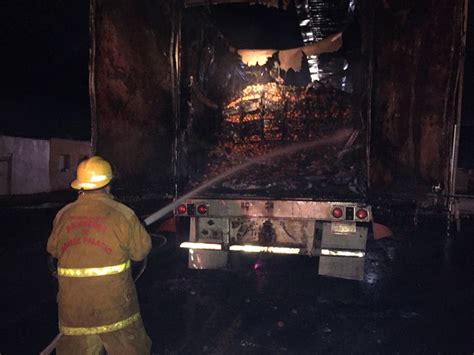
x=94 y=239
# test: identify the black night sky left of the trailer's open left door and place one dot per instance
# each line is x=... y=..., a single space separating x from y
x=44 y=91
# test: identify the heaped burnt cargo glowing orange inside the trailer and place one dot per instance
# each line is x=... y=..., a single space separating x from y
x=272 y=116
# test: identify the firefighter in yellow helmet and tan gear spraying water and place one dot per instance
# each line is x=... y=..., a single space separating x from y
x=94 y=240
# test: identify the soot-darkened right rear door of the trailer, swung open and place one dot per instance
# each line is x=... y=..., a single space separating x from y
x=418 y=58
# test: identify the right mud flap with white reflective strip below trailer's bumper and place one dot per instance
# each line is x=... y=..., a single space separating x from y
x=343 y=248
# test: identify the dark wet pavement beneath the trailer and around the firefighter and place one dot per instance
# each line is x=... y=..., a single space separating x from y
x=417 y=297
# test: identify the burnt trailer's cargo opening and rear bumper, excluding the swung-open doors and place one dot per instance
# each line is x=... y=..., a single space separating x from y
x=297 y=150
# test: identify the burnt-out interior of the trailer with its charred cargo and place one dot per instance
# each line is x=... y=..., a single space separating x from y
x=258 y=107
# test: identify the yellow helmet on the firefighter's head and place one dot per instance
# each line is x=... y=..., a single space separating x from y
x=92 y=174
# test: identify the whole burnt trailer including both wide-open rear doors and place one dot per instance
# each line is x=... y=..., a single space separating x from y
x=195 y=76
